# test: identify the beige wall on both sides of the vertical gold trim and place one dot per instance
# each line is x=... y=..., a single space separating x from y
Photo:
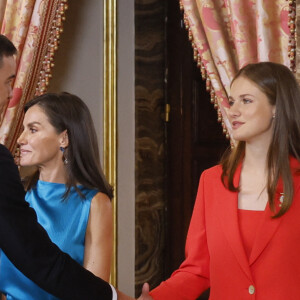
x=78 y=69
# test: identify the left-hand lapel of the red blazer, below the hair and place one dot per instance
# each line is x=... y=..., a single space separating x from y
x=230 y=225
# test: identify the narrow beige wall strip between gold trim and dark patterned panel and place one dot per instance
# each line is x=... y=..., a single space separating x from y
x=126 y=140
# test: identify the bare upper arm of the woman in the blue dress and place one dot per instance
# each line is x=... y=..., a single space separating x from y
x=99 y=237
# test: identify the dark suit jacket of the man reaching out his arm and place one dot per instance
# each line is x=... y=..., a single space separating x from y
x=29 y=248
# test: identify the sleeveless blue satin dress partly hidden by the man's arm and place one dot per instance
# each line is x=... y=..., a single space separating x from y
x=65 y=221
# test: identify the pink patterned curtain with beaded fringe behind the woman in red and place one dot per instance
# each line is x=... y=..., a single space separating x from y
x=228 y=34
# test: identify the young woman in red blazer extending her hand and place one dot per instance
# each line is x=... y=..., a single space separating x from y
x=244 y=236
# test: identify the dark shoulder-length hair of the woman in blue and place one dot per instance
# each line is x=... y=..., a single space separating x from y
x=68 y=112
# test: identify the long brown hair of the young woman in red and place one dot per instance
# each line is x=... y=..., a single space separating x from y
x=279 y=84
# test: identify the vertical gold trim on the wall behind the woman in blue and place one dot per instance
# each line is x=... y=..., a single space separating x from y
x=110 y=113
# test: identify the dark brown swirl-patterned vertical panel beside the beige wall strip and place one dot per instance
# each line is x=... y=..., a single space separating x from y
x=150 y=166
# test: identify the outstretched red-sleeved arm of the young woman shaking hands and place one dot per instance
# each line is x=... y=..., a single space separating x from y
x=192 y=278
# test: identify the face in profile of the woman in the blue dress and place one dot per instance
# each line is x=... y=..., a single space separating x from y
x=39 y=142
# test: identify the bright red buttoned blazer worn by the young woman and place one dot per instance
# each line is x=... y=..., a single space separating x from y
x=215 y=255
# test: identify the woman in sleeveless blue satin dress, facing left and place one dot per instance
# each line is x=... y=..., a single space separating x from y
x=68 y=191
